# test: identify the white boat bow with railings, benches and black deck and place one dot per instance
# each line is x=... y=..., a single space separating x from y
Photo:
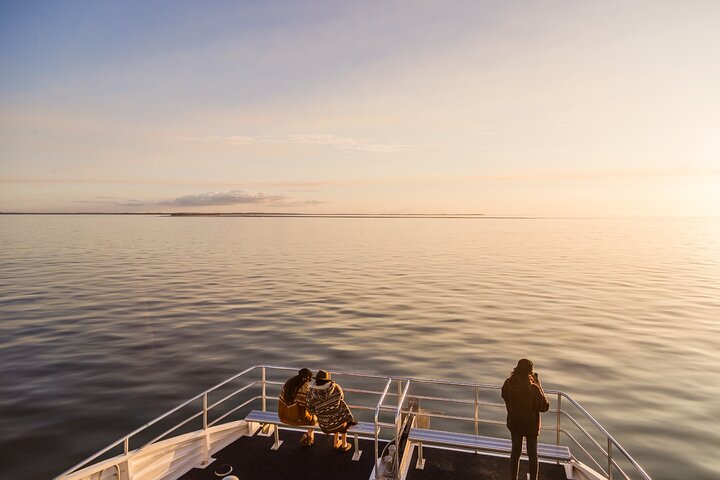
x=229 y=430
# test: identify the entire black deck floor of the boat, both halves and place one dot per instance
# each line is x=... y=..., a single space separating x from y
x=251 y=457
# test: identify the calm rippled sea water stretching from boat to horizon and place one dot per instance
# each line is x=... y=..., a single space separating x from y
x=108 y=321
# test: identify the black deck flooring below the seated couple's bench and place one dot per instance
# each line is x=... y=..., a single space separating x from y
x=251 y=457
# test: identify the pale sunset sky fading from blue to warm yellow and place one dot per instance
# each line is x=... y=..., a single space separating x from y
x=546 y=108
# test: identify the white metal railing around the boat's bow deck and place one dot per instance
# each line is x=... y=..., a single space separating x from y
x=396 y=408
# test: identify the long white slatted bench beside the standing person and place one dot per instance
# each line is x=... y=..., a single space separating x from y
x=422 y=436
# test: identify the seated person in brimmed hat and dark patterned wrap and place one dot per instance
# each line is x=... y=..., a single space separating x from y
x=326 y=400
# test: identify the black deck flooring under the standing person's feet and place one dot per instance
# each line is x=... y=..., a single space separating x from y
x=443 y=464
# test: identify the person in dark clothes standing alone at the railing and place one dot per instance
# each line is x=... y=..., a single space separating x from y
x=524 y=400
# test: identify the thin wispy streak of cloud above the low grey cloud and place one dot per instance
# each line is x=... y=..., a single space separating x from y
x=342 y=143
